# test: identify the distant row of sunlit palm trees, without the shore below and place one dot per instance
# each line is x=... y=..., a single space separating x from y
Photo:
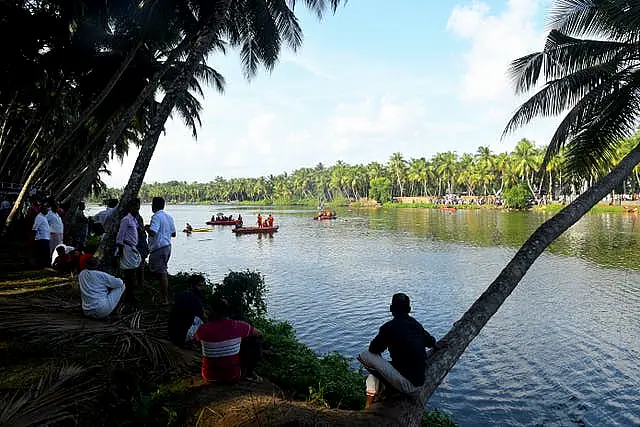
x=483 y=173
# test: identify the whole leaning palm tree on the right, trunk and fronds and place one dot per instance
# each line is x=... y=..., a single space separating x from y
x=598 y=81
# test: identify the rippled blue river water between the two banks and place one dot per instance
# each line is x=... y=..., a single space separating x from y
x=564 y=349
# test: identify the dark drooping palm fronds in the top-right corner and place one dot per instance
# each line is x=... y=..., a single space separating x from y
x=596 y=79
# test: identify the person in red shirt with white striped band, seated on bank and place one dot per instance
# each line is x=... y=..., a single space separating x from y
x=230 y=350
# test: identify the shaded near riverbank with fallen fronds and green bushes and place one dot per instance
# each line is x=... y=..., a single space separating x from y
x=126 y=373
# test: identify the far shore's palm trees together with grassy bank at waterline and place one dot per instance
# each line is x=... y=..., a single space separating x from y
x=511 y=180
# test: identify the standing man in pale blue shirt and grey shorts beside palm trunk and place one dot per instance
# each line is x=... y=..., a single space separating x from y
x=161 y=230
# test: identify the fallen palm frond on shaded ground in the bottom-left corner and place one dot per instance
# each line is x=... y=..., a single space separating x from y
x=54 y=398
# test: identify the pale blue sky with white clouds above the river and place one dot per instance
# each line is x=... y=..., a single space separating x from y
x=421 y=77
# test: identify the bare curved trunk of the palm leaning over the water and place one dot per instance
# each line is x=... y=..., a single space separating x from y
x=409 y=413
